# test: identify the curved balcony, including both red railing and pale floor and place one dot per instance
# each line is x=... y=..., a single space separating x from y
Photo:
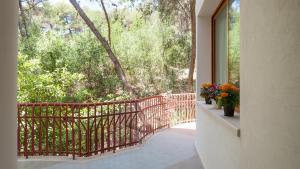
x=154 y=132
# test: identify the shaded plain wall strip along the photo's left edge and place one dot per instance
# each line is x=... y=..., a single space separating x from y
x=8 y=73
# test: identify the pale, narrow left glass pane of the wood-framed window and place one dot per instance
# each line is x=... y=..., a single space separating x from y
x=221 y=59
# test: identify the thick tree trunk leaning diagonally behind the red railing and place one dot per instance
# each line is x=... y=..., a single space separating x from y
x=106 y=46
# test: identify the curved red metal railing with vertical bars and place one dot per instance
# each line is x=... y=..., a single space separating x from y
x=63 y=129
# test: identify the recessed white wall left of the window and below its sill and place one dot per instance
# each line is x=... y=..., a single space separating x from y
x=217 y=146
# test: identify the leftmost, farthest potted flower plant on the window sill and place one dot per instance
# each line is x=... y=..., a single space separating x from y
x=208 y=92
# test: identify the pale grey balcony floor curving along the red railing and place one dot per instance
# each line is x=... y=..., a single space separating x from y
x=169 y=149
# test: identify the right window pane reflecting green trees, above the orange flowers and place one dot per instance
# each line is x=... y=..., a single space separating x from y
x=234 y=40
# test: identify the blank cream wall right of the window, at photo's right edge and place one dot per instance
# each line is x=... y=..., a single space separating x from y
x=270 y=84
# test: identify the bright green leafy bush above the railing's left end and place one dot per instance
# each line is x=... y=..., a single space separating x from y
x=37 y=85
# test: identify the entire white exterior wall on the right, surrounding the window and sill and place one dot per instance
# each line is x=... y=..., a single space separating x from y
x=270 y=88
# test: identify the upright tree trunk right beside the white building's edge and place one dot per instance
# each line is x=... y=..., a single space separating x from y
x=193 y=57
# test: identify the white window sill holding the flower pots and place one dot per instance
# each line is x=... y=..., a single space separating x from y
x=232 y=123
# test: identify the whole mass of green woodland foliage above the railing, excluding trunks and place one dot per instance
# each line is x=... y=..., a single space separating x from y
x=62 y=61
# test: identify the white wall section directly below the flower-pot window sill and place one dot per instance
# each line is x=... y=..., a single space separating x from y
x=217 y=145
